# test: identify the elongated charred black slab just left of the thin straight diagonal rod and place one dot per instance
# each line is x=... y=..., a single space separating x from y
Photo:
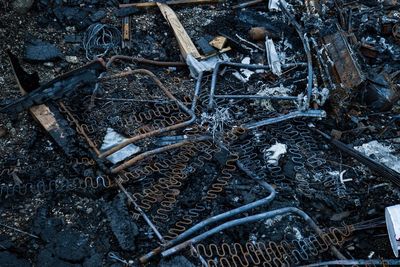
x=124 y=229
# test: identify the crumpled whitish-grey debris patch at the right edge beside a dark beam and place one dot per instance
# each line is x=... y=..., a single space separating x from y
x=382 y=153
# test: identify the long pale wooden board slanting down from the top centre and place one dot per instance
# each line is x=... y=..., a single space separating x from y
x=186 y=44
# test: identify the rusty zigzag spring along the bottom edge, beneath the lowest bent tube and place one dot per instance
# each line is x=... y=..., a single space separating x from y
x=272 y=253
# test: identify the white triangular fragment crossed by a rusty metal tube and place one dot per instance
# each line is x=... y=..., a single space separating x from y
x=112 y=139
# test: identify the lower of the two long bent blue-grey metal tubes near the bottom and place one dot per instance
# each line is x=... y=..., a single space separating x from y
x=251 y=219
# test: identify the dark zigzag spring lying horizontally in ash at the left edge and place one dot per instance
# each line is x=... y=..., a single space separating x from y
x=61 y=185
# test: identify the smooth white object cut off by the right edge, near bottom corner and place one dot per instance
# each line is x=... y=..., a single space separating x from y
x=392 y=216
